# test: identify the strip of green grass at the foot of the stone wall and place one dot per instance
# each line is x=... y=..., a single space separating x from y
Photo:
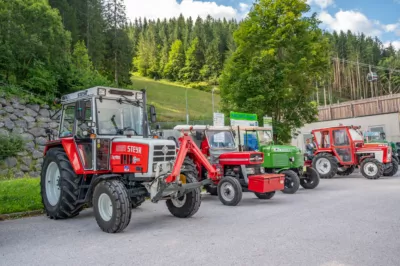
x=19 y=195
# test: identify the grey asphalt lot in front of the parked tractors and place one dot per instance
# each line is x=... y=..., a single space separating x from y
x=345 y=221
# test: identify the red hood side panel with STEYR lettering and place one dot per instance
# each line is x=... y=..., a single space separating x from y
x=129 y=157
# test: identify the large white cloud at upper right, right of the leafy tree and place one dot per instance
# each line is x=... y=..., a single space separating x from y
x=355 y=21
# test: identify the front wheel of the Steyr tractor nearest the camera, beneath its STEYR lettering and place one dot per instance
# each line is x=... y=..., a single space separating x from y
x=111 y=193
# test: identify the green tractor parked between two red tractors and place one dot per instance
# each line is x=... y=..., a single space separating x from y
x=285 y=159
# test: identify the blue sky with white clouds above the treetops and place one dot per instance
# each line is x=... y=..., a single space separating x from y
x=374 y=18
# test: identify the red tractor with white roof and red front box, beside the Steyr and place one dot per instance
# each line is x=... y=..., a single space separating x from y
x=213 y=155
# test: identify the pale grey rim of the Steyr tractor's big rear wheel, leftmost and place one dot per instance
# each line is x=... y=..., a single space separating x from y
x=52 y=184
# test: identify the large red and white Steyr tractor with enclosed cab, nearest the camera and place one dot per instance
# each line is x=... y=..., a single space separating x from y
x=104 y=156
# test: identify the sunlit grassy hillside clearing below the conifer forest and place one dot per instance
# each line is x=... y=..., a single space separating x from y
x=170 y=102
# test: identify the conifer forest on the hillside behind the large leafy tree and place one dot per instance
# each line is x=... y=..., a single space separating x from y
x=58 y=46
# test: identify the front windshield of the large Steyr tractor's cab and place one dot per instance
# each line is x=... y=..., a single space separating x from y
x=114 y=117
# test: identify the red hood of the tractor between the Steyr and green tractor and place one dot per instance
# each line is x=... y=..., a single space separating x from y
x=236 y=158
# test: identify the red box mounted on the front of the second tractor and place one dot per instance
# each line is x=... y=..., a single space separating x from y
x=266 y=183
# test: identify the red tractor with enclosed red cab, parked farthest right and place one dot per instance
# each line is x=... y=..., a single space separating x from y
x=340 y=149
